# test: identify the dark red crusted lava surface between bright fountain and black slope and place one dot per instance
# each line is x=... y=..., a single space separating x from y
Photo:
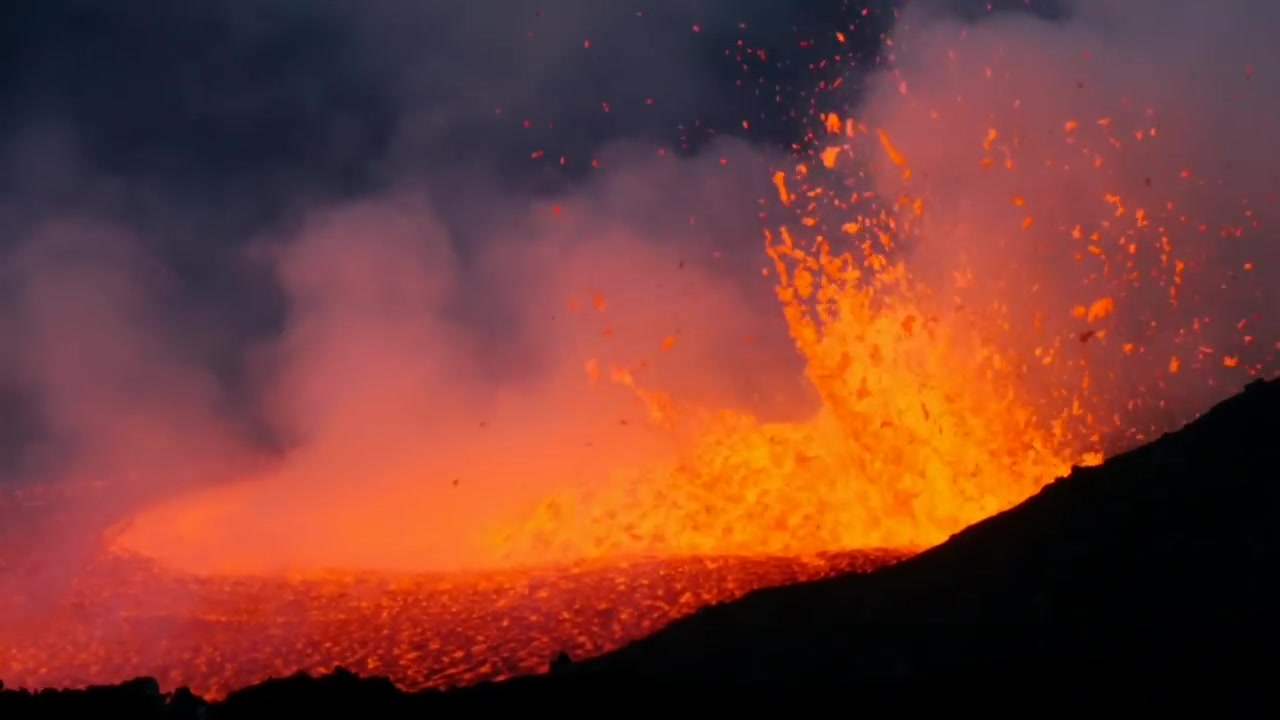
x=122 y=618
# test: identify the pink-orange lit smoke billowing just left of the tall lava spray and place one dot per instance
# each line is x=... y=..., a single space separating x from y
x=408 y=431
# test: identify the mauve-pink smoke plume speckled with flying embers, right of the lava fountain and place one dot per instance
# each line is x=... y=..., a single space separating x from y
x=1200 y=84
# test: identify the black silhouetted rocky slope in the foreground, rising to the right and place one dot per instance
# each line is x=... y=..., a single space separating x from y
x=1145 y=580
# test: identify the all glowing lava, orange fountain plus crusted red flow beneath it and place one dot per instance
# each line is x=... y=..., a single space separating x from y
x=925 y=426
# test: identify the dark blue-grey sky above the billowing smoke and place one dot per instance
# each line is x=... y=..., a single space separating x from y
x=216 y=103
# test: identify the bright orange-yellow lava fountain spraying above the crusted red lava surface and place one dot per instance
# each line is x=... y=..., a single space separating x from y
x=925 y=427
